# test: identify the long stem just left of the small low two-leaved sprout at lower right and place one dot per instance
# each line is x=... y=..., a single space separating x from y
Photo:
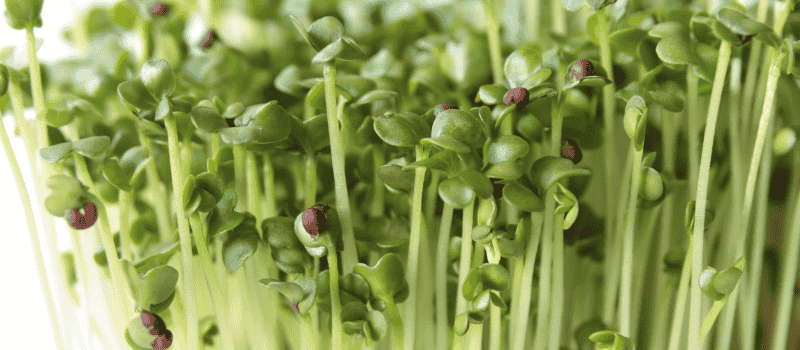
x=702 y=193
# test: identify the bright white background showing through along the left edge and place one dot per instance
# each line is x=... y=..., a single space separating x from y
x=24 y=322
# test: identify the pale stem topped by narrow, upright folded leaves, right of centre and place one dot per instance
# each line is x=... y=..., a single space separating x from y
x=627 y=252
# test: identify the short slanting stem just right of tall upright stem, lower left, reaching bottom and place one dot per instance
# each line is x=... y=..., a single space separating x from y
x=218 y=297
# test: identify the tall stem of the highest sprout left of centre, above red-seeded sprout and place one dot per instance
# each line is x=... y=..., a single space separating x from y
x=349 y=255
